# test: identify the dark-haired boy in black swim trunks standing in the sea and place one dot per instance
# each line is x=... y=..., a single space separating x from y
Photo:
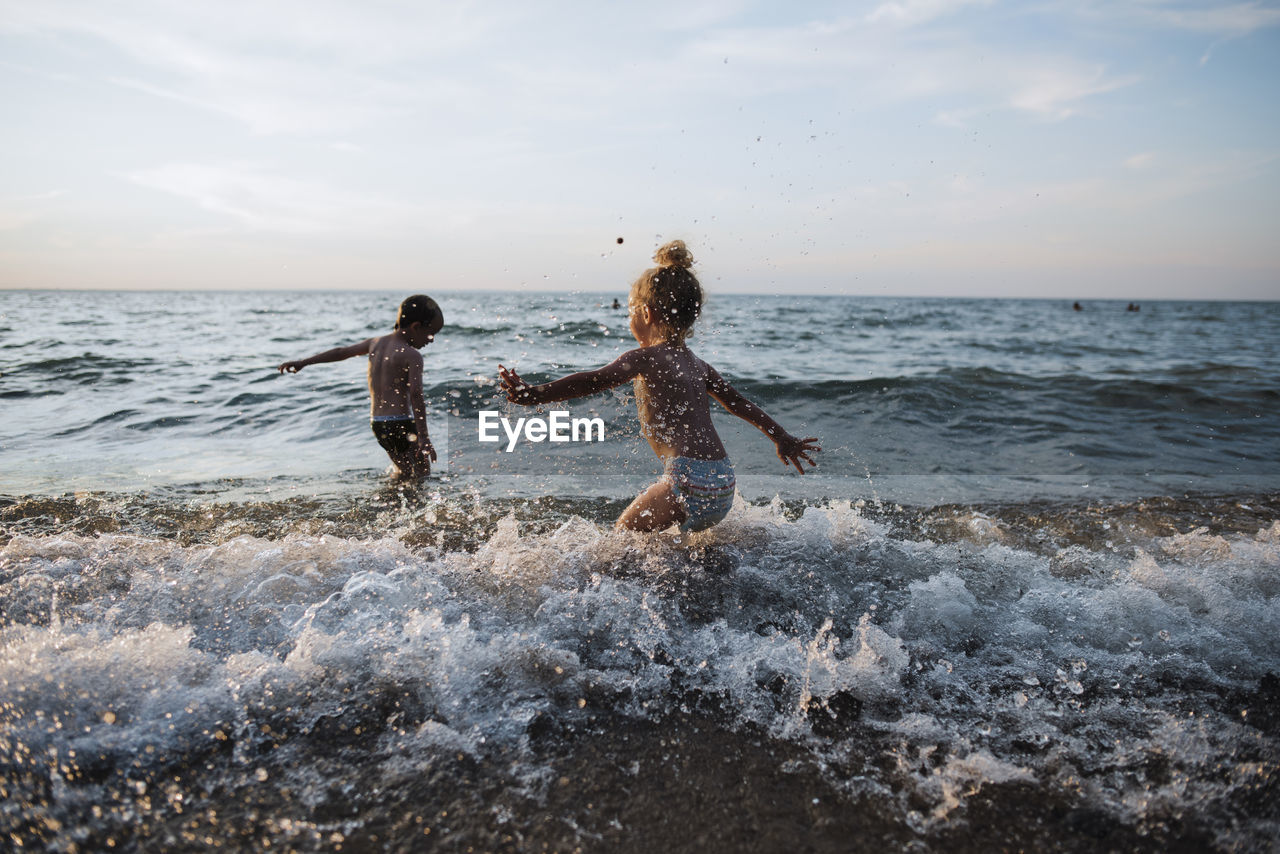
x=399 y=414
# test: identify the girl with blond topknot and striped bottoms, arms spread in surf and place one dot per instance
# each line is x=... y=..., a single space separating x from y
x=673 y=389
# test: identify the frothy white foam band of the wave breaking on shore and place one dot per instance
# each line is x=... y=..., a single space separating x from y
x=977 y=663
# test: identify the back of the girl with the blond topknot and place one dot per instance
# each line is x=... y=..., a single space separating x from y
x=674 y=404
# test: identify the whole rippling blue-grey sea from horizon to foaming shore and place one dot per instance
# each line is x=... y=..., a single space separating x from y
x=1030 y=600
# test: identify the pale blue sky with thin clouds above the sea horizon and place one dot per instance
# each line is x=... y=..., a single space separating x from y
x=1084 y=149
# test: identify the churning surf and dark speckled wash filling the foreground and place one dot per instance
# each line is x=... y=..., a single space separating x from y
x=365 y=687
